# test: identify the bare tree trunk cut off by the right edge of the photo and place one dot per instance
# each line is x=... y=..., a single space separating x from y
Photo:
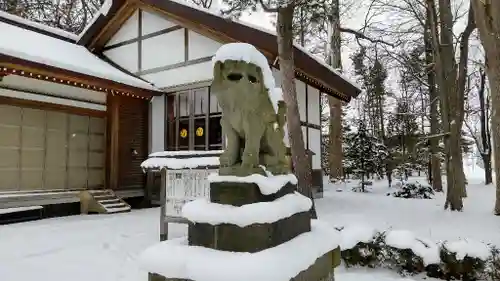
x=489 y=30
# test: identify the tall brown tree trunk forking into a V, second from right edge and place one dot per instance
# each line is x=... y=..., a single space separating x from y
x=451 y=84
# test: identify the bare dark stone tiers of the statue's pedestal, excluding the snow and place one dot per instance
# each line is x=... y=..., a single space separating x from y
x=258 y=237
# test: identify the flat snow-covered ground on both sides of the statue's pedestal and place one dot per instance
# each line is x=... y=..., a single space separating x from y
x=105 y=247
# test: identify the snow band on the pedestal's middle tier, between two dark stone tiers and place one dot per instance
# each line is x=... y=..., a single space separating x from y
x=203 y=211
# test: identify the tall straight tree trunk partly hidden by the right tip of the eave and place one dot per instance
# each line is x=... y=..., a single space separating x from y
x=335 y=60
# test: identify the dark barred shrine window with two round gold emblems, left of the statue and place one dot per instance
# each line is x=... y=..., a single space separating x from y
x=193 y=121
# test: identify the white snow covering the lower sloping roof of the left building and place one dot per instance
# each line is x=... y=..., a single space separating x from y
x=41 y=48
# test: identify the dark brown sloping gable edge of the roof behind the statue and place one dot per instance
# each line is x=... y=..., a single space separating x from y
x=328 y=79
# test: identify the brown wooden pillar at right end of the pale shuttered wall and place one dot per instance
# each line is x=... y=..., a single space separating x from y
x=113 y=120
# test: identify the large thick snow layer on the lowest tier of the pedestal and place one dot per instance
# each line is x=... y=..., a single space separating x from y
x=175 y=259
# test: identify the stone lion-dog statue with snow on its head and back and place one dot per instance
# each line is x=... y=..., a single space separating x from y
x=253 y=112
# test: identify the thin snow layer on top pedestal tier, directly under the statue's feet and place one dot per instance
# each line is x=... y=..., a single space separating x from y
x=267 y=185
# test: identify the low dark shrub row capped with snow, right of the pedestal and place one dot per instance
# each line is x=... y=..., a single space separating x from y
x=400 y=250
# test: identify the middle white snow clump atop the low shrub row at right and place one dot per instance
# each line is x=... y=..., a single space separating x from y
x=404 y=239
